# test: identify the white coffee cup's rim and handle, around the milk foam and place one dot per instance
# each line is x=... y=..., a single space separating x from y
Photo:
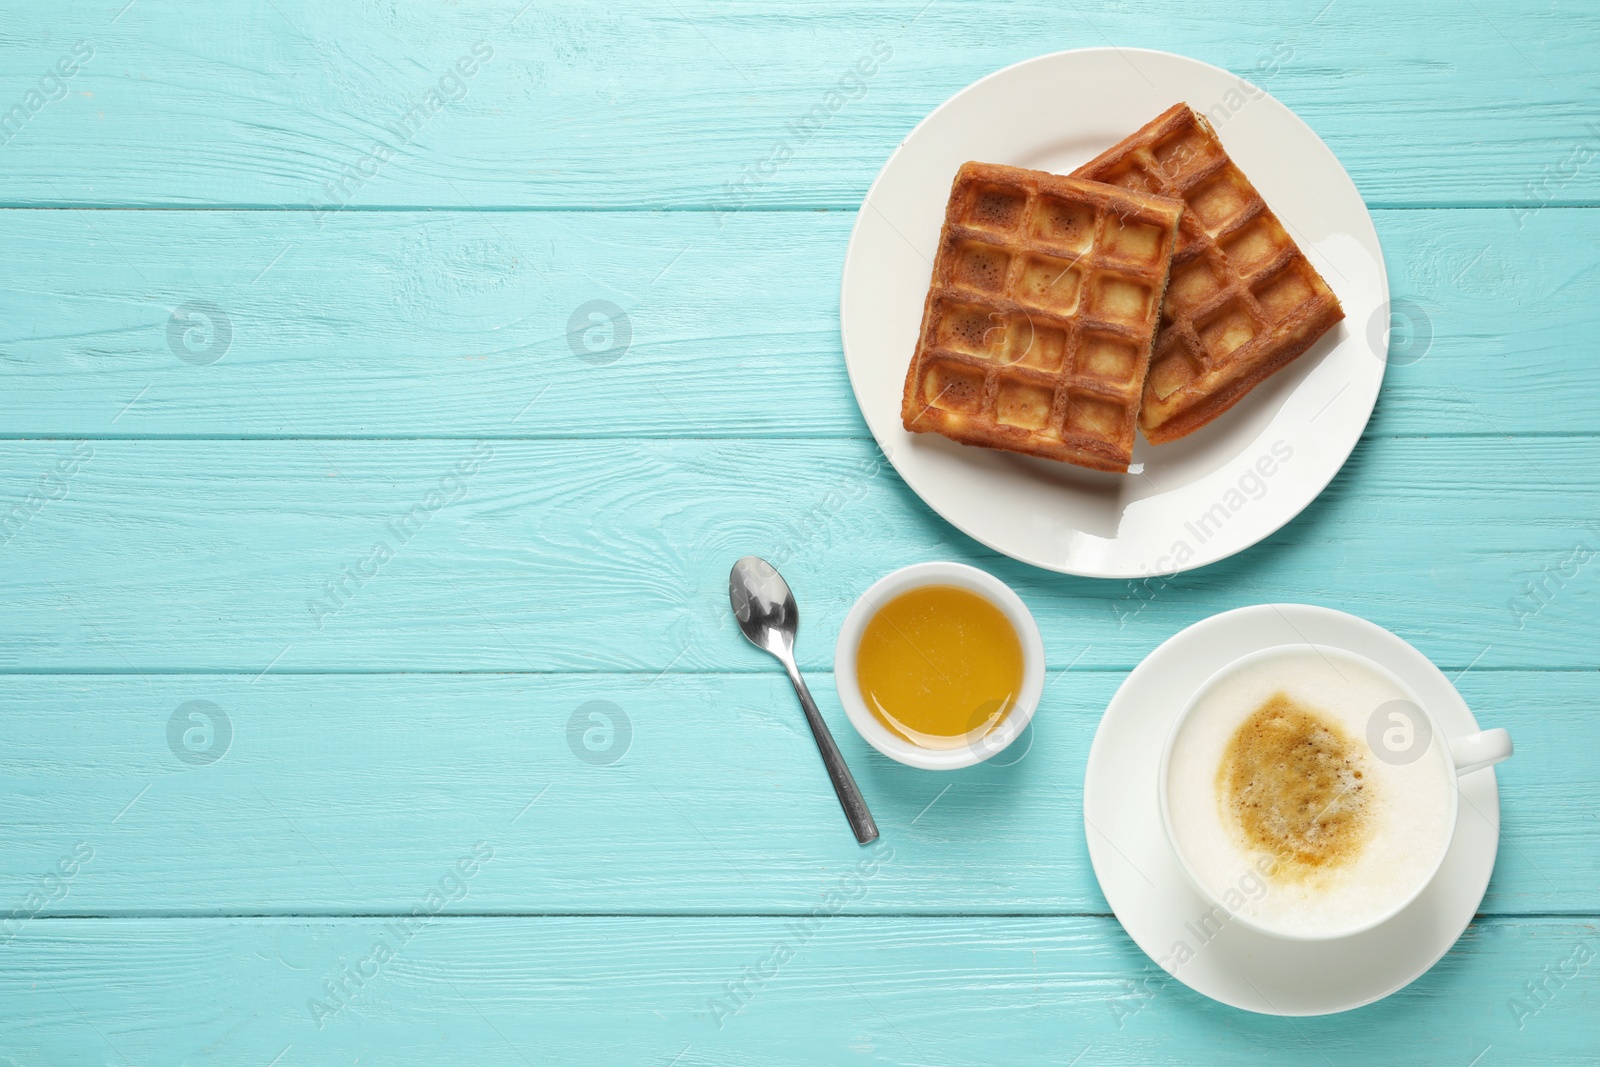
x=1398 y=733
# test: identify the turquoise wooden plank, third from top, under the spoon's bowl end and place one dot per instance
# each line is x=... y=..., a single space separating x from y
x=614 y=556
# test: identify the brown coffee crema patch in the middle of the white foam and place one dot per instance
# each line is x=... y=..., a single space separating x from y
x=1294 y=785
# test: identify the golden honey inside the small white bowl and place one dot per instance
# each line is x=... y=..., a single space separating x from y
x=940 y=666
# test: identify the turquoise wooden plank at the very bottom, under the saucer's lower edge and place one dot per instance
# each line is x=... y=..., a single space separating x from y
x=649 y=991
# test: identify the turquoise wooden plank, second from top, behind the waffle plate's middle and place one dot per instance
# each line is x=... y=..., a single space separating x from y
x=426 y=326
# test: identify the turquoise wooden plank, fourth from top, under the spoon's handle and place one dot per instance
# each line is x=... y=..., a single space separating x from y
x=695 y=794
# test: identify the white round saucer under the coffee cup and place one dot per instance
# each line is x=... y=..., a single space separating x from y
x=1145 y=882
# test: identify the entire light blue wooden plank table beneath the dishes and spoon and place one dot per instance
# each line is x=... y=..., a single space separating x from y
x=322 y=548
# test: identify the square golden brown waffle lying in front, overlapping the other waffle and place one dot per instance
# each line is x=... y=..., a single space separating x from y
x=1041 y=318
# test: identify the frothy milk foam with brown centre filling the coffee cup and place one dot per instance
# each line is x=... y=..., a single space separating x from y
x=1294 y=821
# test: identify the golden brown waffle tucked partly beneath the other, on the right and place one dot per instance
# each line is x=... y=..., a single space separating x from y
x=1242 y=303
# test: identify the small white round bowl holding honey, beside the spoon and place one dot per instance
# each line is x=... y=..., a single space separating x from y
x=972 y=580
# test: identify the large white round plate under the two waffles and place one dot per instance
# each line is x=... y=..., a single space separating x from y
x=1193 y=502
